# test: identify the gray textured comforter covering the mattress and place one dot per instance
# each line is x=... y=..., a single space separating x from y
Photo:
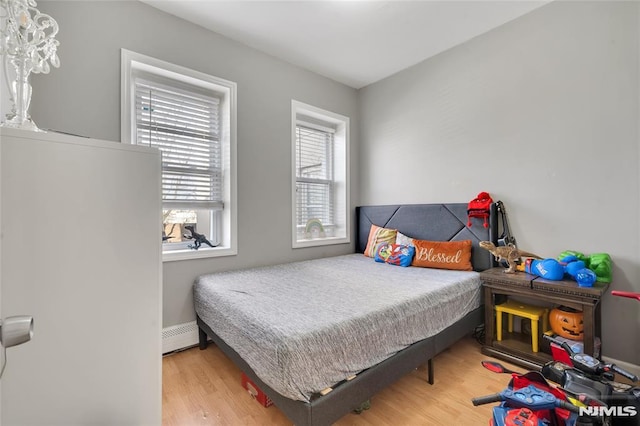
x=305 y=326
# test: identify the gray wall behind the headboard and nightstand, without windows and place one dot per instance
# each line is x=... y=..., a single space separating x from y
x=543 y=114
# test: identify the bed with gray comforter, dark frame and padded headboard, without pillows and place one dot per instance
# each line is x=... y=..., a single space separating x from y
x=296 y=338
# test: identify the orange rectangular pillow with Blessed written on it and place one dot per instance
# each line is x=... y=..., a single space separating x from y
x=443 y=254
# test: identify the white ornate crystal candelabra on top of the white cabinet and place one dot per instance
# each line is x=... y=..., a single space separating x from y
x=27 y=44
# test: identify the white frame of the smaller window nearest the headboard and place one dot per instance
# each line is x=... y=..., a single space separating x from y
x=320 y=119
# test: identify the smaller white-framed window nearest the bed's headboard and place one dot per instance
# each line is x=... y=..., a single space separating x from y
x=320 y=170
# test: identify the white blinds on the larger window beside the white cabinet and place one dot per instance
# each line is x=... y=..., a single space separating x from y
x=185 y=125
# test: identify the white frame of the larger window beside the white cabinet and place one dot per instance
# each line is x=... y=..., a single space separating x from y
x=226 y=219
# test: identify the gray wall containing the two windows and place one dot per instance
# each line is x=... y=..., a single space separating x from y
x=83 y=97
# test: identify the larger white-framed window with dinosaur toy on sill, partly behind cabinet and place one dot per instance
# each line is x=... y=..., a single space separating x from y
x=190 y=118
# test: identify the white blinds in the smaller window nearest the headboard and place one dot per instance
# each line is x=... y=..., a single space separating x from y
x=314 y=175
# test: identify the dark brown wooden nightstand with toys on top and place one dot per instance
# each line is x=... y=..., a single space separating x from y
x=516 y=348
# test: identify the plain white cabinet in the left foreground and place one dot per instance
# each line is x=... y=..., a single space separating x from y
x=81 y=253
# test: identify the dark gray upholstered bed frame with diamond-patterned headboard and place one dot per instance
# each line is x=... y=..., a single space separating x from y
x=436 y=222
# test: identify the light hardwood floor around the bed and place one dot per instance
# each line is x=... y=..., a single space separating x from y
x=203 y=388
